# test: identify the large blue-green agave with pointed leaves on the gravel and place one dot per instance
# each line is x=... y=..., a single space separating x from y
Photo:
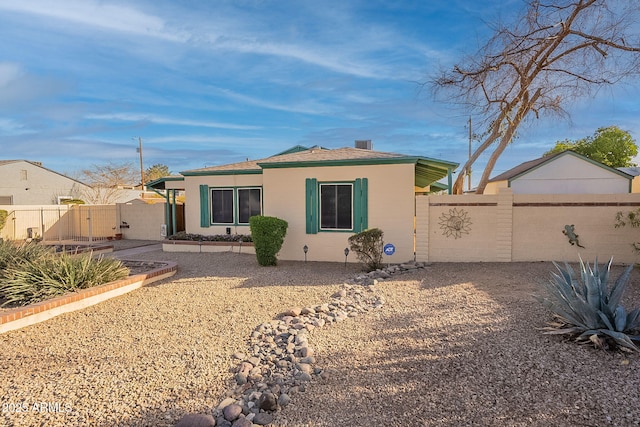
x=590 y=309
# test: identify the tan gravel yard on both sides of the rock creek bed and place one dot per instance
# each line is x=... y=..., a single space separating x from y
x=456 y=344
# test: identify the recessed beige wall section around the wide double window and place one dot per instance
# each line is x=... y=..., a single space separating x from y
x=192 y=207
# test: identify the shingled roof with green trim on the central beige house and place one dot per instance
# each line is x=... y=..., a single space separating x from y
x=427 y=170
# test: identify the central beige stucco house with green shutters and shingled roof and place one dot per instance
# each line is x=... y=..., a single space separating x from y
x=325 y=196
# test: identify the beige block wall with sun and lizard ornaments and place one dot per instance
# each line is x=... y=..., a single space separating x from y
x=511 y=227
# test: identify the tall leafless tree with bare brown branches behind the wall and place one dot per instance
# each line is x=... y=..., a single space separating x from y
x=558 y=51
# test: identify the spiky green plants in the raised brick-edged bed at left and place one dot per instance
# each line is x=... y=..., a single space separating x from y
x=35 y=273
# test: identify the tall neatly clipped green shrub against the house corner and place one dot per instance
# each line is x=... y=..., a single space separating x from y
x=268 y=235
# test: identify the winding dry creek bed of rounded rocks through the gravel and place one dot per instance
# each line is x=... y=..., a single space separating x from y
x=280 y=362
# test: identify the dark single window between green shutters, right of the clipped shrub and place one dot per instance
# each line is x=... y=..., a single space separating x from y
x=336 y=206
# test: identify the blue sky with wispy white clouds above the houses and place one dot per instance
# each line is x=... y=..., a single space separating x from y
x=214 y=82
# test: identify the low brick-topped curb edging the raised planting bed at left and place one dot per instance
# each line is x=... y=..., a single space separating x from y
x=22 y=316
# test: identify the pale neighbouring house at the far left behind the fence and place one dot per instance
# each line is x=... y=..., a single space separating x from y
x=28 y=183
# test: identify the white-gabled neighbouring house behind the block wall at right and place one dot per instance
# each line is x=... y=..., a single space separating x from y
x=562 y=173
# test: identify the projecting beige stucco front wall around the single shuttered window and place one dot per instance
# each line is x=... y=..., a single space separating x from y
x=390 y=208
